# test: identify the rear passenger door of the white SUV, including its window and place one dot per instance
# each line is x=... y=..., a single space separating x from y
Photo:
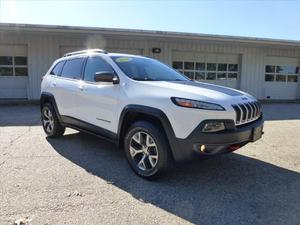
x=67 y=87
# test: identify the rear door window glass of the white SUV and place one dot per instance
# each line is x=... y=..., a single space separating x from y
x=72 y=68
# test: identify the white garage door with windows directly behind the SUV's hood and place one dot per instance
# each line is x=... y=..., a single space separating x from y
x=220 y=69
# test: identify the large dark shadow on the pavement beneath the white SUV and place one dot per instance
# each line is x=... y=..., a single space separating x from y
x=229 y=189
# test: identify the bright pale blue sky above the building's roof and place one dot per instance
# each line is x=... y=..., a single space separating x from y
x=271 y=19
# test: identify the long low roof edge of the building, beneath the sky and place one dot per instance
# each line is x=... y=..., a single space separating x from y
x=147 y=33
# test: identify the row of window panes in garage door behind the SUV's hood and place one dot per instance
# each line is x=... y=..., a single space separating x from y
x=207 y=71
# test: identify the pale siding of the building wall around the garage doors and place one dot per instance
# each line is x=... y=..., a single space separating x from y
x=44 y=48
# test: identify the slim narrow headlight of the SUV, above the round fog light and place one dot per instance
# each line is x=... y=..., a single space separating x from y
x=188 y=103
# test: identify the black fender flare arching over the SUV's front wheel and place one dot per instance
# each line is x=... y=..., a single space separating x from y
x=153 y=112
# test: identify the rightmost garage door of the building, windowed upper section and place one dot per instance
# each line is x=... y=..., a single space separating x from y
x=281 y=78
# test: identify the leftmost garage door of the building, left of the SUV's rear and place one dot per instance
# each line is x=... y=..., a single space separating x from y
x=13 y=71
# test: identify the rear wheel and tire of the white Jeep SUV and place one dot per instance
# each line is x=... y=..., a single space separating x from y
x=51 y=124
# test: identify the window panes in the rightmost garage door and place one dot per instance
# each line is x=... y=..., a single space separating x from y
x=275 y=73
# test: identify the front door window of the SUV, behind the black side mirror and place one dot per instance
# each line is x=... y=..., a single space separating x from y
x=93 y=65
